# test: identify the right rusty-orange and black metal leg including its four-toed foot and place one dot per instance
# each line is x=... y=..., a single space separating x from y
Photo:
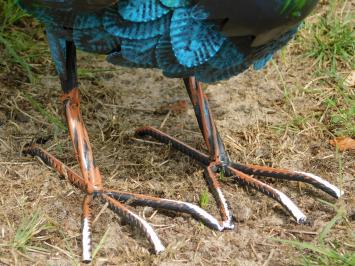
x=218 y=163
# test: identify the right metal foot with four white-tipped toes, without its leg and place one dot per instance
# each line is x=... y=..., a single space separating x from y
x=244 y=174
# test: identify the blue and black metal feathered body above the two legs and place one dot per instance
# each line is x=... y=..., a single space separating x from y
x=211 y=40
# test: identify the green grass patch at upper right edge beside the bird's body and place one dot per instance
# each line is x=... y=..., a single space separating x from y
x=330 y=41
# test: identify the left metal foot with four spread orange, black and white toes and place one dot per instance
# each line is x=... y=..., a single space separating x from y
x=118 y=201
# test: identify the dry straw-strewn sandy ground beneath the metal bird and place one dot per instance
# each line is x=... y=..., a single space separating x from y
x=276 y=116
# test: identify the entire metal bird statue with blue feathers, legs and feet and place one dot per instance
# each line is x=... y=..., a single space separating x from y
x=196 y=40
